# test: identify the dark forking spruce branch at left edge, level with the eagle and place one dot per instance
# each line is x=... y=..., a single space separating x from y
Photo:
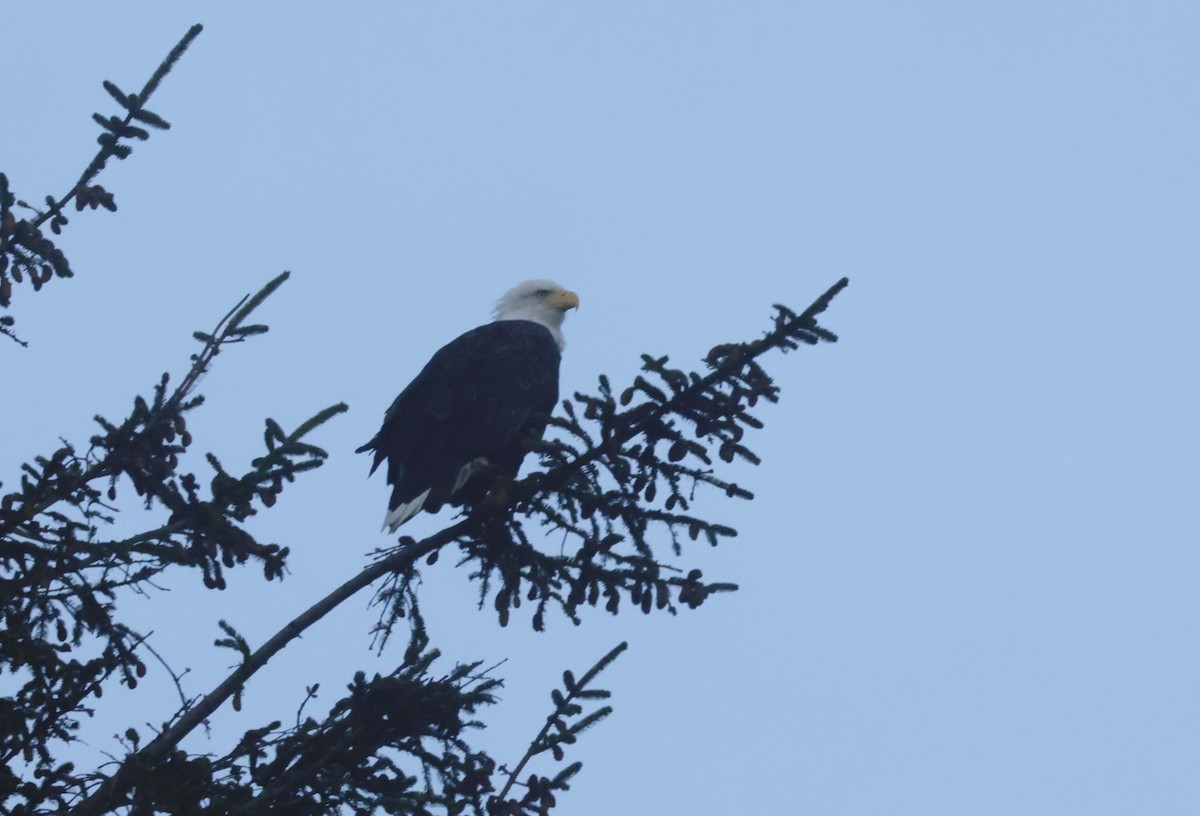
x=50 y=541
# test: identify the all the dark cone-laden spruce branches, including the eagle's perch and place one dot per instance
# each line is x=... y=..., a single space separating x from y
x=617 y=489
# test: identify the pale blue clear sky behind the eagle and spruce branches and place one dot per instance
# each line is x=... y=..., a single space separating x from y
x=969 y=580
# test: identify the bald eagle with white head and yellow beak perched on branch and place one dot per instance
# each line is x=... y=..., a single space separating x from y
x=478 y=405
